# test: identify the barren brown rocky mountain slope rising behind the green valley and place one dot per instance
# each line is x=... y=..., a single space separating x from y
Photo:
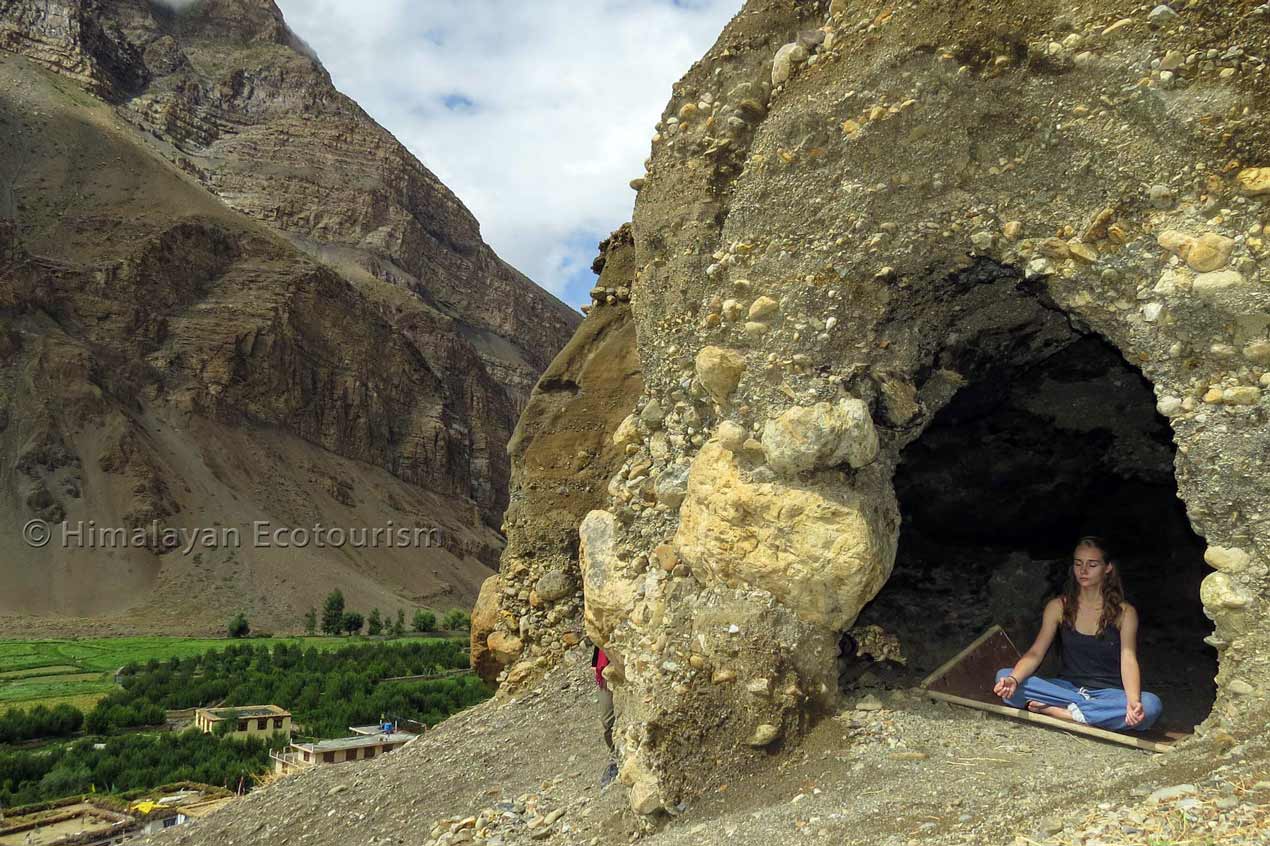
x=231 y=297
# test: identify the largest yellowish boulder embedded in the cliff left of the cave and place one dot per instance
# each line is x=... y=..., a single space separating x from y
x=822 y=551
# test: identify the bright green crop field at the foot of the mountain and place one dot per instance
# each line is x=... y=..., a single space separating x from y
x=82 y=671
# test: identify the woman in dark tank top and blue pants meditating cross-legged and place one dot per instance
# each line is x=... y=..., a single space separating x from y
x=1099 y=683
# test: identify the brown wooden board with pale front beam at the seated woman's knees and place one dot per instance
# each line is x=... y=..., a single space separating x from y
x=967 y=680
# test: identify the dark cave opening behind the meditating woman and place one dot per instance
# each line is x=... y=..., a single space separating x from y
x=995 y=492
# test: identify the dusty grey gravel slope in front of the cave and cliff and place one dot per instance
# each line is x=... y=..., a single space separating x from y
x=912 y=773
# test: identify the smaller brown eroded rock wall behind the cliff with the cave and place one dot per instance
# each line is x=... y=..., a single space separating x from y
x=565 y=452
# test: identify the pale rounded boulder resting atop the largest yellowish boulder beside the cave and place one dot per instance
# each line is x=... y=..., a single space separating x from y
x=821 y=436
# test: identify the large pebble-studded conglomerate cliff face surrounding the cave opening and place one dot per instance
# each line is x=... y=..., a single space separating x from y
x=855 y=213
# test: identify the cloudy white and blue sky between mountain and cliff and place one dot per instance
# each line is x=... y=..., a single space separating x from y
x=535 y=114
